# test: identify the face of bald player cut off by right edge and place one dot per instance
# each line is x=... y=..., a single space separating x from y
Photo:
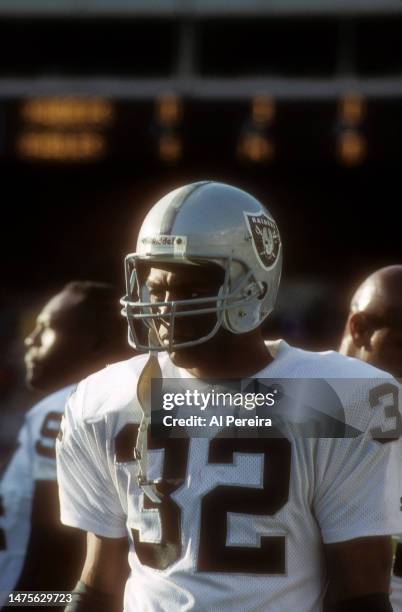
x=386 y=350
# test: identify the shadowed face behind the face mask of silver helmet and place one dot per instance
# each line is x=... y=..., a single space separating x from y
x=169 y=282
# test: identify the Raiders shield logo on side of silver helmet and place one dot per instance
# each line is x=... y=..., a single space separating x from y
x=265 y=238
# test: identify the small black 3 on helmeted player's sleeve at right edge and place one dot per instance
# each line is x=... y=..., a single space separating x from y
x=391 y=412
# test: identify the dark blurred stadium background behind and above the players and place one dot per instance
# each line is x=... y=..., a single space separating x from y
x=64 y=219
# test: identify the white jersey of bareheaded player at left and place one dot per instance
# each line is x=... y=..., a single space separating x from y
x=33 y=460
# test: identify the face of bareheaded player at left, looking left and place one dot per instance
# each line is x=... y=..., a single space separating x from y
x=56 y=345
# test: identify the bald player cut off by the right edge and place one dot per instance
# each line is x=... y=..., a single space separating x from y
x=373 y=333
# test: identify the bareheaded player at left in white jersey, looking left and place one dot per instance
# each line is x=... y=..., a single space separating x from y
x=77 y=332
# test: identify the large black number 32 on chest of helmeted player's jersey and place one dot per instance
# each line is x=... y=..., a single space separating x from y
x=214 y=555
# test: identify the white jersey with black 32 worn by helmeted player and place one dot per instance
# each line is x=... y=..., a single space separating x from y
x=242 y=521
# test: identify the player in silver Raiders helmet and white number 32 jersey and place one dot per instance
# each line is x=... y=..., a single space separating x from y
x=222 y=523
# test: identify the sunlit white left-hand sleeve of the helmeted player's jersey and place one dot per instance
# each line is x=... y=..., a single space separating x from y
x=88 y=495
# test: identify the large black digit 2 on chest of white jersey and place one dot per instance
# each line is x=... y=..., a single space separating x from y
x=270 y=556
